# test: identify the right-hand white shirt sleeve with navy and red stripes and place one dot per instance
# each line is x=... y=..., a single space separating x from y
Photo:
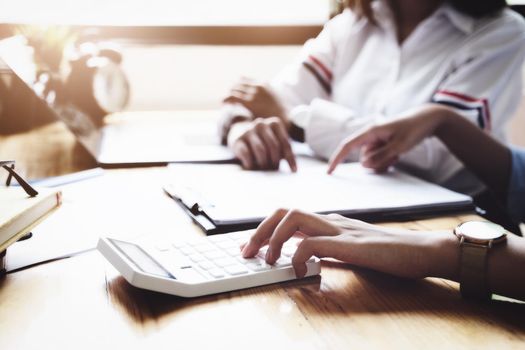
x=483 y=85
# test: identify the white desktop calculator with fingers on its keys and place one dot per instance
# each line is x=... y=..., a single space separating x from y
x=201 y=266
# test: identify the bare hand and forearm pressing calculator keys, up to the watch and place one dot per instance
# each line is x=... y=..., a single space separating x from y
x=399 y=252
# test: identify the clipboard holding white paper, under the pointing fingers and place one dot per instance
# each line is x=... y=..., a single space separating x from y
x=224 y=198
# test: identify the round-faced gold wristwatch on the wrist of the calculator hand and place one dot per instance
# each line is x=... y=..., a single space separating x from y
x=476 y=239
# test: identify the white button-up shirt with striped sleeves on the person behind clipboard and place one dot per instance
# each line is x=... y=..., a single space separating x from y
x=355 y=73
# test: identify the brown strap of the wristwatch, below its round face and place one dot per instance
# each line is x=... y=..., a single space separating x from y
x=473 y=274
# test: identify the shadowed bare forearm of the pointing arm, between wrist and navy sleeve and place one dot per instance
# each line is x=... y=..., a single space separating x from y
x=478 y=151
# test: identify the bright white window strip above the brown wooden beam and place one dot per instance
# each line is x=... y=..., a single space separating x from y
x=165 y=12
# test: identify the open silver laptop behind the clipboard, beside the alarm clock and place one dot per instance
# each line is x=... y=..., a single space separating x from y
x=127 y=139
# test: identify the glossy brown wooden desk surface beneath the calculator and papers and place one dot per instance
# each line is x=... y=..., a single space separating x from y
x=82 y=302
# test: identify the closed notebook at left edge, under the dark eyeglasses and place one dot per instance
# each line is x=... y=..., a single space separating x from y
x=19 y=213
